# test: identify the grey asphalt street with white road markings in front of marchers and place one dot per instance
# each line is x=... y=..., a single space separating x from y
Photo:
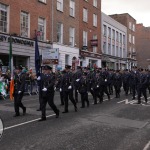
x=118 y=124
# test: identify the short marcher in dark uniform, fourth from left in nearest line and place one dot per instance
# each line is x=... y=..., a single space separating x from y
x=83 y=89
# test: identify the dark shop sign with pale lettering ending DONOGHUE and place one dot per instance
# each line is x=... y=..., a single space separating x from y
x=6 y=38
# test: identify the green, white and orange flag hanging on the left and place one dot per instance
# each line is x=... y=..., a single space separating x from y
x=11 y=69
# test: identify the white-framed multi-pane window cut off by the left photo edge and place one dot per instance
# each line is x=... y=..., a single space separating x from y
x=3 y=18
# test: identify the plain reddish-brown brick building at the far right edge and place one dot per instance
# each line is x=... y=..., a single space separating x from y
x=143 y=46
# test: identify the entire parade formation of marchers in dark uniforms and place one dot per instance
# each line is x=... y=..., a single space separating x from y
x=71 y=85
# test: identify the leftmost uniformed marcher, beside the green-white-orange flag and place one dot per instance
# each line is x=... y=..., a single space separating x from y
x=19 y=82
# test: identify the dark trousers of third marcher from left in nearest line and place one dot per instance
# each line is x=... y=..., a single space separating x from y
x=69 y=95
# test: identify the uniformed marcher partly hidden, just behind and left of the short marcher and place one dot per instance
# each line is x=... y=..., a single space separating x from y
x=77 y=77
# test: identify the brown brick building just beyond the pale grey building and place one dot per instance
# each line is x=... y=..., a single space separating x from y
x=130 y=23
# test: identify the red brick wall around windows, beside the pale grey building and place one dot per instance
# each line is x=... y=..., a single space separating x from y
x=88 y=27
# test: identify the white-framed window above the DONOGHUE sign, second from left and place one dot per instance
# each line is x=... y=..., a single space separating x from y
x=24 y=24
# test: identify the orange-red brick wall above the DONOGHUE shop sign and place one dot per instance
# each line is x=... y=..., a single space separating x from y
x=34 y=8
